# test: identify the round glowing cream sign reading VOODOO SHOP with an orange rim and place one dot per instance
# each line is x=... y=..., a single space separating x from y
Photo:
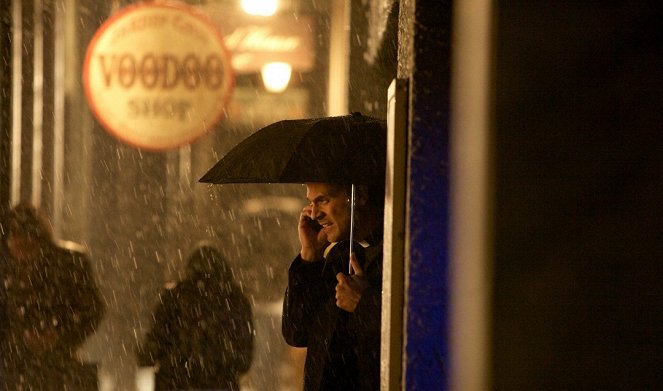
x=157 y=76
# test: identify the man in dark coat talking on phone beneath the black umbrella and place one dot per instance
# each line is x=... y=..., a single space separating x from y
x=336 y=315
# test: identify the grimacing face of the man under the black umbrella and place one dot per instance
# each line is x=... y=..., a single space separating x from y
x=330 y=207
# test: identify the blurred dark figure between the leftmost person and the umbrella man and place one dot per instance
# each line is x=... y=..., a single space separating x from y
x=202 y=336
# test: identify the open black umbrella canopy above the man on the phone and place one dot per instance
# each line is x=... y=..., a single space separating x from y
x=347 y=149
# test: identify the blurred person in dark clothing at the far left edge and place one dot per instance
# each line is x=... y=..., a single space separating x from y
x=50 y=305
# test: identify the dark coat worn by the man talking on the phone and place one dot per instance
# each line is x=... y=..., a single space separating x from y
x=343 y=348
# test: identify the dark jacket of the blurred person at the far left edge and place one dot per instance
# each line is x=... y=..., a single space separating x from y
x=55 y=295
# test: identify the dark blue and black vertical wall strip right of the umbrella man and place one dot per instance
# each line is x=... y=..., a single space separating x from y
x=424 y=60
